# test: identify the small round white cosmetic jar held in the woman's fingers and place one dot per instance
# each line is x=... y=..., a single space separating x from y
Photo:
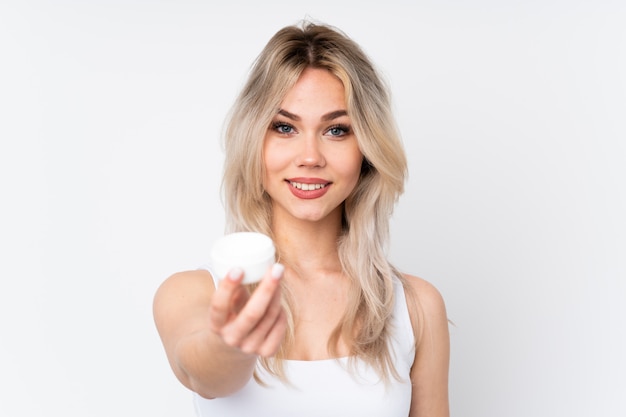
x=253 y=252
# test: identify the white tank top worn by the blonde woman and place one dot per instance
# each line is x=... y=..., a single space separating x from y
x=325 y=388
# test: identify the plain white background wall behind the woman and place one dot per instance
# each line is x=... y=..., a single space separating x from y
x=514 y=118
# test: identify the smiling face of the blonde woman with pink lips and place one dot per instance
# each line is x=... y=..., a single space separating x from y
x=312 y=158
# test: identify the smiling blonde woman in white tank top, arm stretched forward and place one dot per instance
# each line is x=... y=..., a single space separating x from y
x=313 y=160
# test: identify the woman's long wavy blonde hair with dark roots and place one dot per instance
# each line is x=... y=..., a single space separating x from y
x=363 y=244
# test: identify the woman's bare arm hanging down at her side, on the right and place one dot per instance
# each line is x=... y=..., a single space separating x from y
x=429 y=373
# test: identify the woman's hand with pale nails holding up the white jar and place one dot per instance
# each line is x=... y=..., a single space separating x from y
x=252 y=323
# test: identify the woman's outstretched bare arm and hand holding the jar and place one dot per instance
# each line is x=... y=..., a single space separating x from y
x=212 y=337
